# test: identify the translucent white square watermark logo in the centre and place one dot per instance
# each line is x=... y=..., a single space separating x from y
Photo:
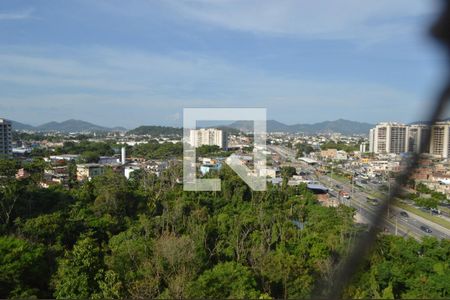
x=254 y=177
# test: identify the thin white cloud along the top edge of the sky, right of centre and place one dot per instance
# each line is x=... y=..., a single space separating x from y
x=337 y=19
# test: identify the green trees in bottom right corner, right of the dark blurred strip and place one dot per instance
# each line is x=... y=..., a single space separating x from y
x=400 y=268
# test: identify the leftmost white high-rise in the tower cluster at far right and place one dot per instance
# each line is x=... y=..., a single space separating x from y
x=388 y=138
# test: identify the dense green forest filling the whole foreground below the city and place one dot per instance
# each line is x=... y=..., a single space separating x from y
x=147 y=238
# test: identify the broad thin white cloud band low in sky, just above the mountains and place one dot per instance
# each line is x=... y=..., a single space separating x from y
x=107 y=83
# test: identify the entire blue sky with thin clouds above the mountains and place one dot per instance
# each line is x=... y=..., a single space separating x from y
x=128 y=63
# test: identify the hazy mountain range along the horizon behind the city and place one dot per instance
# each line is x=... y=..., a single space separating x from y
x=339 y=126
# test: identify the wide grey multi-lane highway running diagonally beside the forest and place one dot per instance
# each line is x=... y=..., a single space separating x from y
x=394 y=223
